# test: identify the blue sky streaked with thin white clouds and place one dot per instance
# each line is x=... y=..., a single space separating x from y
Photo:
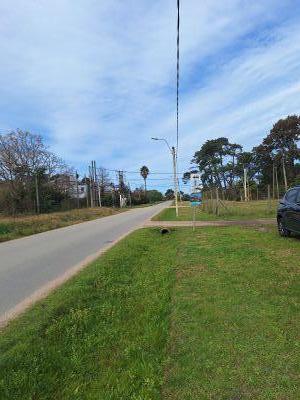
x=97 y=78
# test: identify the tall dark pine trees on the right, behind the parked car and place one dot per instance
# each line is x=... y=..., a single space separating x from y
x=273 y=163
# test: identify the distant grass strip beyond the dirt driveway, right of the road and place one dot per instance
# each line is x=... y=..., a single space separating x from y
x=234 y=210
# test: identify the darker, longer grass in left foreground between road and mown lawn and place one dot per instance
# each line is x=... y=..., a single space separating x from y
x=100 y=336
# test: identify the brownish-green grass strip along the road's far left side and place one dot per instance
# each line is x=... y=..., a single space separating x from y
x=25 y=225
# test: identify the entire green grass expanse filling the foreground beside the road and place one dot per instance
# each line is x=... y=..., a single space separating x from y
x=210 y=314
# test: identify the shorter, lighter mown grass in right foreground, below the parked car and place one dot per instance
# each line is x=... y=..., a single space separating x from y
x=235 y=318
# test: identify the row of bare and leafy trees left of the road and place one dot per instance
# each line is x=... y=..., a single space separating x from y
x=34 y=179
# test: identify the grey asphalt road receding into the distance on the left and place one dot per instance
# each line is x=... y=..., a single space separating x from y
x=30 y=263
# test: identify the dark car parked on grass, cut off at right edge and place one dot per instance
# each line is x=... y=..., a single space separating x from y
x=288 y=213
